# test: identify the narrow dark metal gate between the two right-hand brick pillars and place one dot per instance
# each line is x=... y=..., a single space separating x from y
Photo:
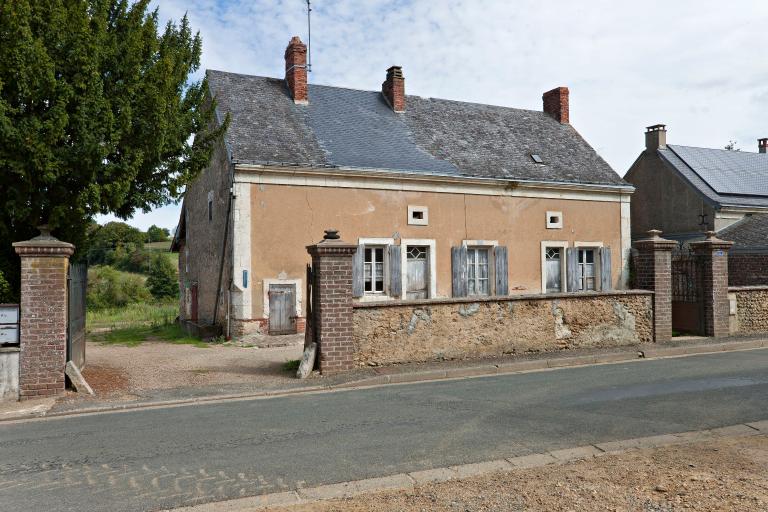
x=687 y=296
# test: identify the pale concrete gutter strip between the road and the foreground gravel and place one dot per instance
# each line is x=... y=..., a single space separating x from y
x=405 y=481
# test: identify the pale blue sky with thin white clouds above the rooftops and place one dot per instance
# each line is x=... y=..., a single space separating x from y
x=697 y=66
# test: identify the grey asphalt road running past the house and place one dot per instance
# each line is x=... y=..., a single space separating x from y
x=163 y=458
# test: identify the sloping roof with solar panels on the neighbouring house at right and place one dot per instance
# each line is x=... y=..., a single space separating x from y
x=725 y=178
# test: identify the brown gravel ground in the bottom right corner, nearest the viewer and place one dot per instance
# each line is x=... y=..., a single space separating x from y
x=728 y=474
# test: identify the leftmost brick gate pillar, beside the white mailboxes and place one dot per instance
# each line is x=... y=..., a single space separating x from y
x=43 y=311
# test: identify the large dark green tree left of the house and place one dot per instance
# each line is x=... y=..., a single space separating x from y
x=98 y=114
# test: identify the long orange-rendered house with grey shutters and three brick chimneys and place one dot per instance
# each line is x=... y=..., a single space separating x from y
x=444 y=198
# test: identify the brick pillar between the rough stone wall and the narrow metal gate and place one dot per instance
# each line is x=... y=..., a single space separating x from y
x=653 y=271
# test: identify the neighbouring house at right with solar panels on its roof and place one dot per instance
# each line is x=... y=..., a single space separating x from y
x=686 y=191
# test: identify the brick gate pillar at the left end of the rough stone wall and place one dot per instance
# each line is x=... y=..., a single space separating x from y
x=332 y=302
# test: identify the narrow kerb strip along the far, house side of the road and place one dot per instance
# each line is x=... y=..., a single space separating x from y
x=482 y=370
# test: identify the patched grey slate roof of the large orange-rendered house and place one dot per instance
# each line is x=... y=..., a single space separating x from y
x=348 y=128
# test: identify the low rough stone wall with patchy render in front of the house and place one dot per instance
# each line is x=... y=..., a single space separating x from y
x=398 y=332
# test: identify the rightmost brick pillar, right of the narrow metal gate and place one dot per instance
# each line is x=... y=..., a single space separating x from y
x=713 y=262
